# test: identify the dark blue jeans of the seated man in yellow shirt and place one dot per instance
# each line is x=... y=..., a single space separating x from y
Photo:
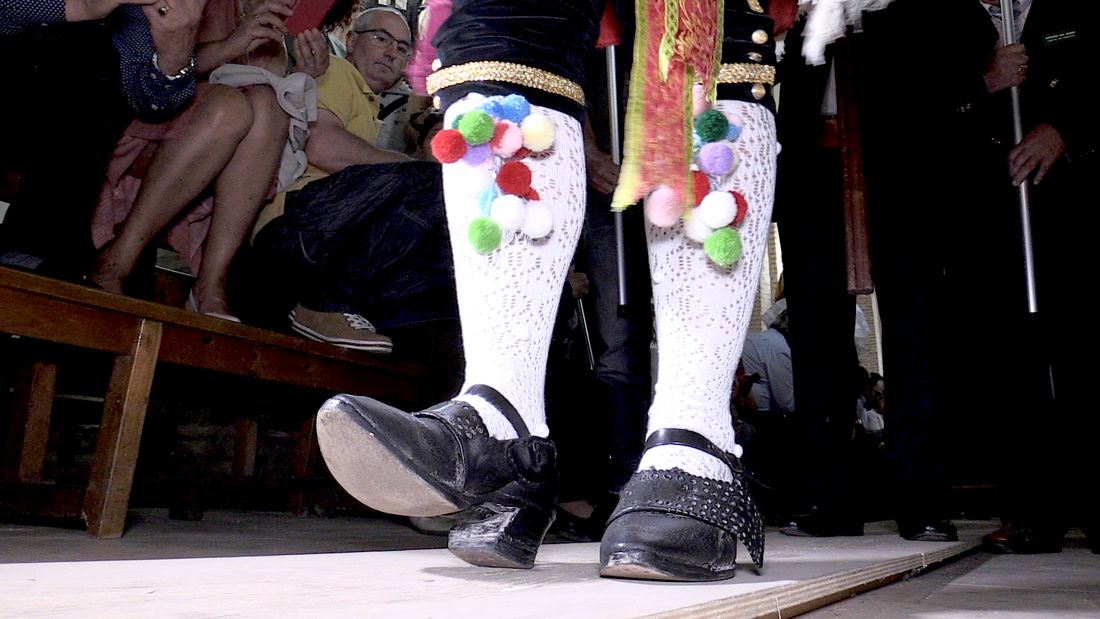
x=370 y=240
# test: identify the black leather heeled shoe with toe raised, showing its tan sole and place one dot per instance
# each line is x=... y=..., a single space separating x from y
x=443 y=461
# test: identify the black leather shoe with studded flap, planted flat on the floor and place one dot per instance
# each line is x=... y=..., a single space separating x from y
x=675 y=526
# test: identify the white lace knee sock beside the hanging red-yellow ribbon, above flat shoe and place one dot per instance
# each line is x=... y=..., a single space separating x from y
x=703 y=311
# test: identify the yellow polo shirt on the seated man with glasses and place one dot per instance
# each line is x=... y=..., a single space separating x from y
x=343 y=92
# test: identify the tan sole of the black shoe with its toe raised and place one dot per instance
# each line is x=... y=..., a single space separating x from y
x=369 y=471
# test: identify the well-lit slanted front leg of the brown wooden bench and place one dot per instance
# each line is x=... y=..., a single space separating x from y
x=113 y=472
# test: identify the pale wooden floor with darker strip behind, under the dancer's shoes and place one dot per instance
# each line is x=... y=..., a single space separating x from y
x=250 y=565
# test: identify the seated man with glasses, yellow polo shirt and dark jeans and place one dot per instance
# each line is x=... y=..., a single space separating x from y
x=361 y=239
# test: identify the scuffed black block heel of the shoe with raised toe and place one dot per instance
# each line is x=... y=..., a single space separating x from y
x=510 y=537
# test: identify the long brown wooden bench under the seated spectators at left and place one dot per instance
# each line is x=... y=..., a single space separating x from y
x=141 y=335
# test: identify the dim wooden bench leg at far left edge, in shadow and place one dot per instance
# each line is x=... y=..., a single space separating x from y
x=30 y=428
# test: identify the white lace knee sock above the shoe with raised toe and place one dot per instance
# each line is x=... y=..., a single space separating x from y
x=509 y=297
